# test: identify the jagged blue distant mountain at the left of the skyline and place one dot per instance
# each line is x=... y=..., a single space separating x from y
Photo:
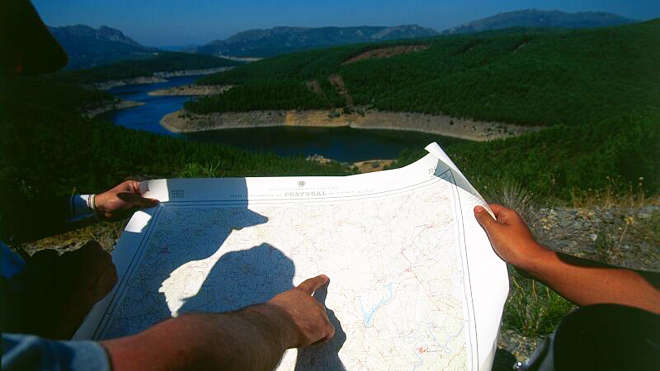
x=89 y=47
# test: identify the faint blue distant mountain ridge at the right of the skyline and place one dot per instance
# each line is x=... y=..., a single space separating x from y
x=540 y=18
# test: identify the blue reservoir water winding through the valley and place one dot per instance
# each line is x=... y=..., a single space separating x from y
x=341 y=144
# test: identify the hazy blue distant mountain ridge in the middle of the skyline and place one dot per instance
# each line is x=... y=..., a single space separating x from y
x=279 y=40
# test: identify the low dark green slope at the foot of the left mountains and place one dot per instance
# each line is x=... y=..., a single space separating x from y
x=163 y=62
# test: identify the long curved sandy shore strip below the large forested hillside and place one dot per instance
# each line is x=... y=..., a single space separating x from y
x=184 y=122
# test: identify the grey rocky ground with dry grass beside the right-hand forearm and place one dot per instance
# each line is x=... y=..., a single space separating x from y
x=617 y=234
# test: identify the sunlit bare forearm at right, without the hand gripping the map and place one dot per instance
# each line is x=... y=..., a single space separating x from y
x=584 y=282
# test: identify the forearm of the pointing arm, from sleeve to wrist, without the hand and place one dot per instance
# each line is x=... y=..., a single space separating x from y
x=251 y=339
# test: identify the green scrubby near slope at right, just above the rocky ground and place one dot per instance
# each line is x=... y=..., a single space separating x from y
x=561 y=162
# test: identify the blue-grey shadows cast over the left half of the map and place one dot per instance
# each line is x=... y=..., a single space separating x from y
x=239 y=278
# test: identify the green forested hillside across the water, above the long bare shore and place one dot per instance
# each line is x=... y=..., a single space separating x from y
x=525 y=76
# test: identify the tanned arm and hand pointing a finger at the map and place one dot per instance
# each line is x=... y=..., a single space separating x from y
x=250 y=339
